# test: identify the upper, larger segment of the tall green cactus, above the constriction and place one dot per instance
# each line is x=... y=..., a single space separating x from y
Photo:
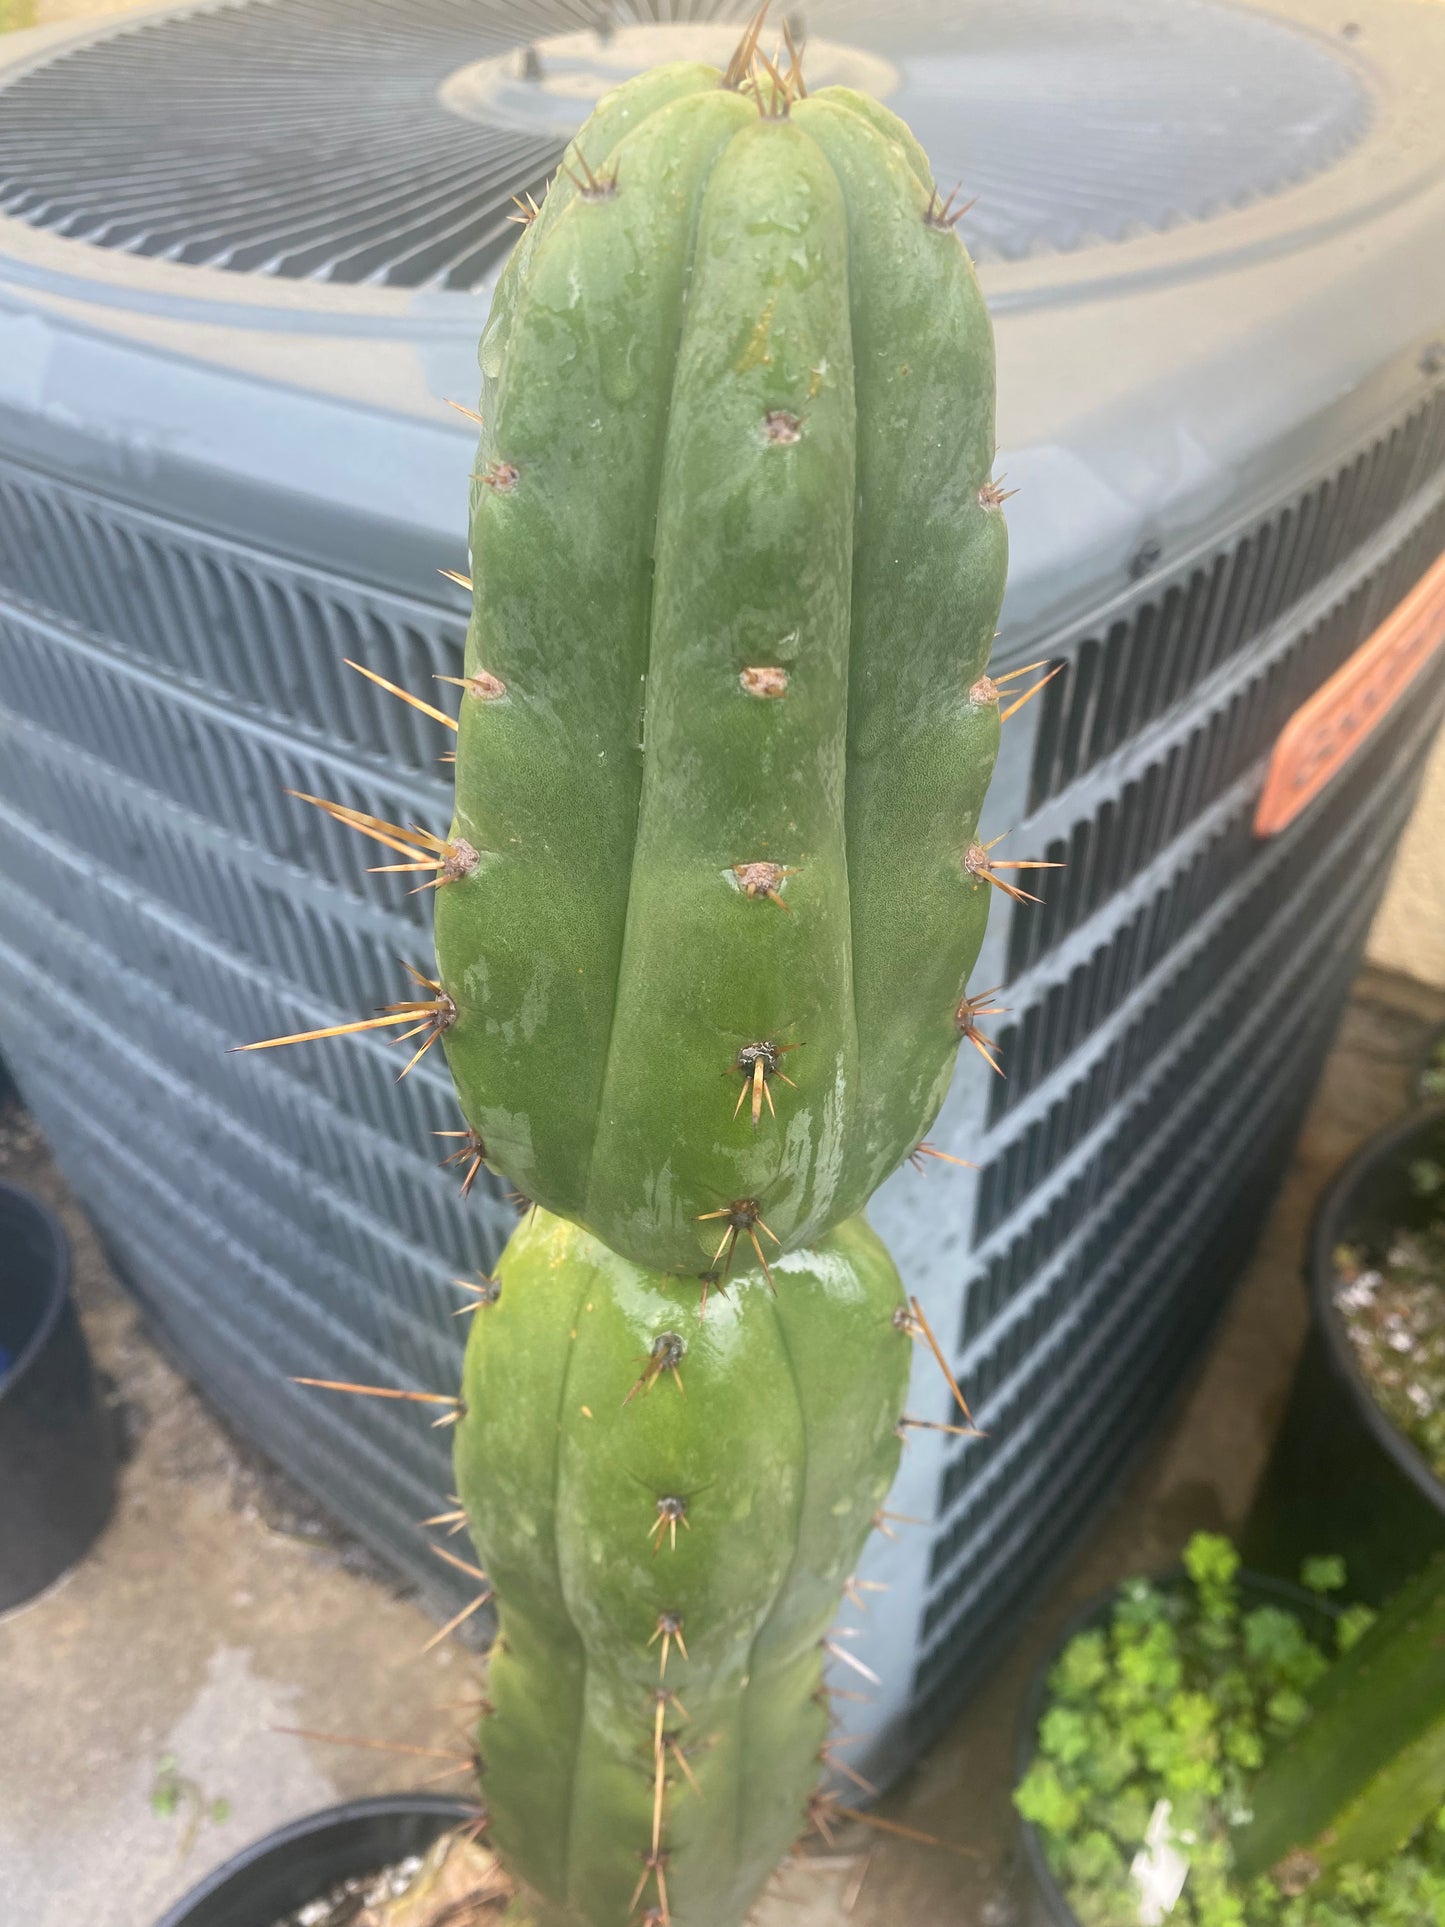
x=737 y=571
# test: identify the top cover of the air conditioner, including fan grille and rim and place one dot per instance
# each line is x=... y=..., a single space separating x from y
x=248 y=250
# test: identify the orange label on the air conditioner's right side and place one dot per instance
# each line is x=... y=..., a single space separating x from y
x=1330 y=727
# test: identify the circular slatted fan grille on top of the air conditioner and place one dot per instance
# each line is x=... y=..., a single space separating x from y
x=309 y=138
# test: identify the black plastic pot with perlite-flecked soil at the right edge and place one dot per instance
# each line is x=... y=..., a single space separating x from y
x=1342 y=1479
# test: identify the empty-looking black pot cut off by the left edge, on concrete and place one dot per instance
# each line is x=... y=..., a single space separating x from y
x=57 y=1444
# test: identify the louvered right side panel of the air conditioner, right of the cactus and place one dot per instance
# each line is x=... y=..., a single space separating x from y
x=1163 y=1059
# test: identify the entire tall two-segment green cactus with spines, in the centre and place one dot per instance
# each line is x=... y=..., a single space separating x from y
x=704 y=926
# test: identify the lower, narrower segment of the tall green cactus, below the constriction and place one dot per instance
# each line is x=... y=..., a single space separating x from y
x=775 y=1433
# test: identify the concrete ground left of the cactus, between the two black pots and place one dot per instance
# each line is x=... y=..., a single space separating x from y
x=217 y=1608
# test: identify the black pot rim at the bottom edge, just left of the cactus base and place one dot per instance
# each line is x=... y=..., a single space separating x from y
x=307 y=1859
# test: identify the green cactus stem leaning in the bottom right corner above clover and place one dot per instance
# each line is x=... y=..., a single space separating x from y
x=1369 y=1768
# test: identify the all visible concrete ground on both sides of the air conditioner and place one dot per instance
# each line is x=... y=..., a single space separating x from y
x=221 y=1608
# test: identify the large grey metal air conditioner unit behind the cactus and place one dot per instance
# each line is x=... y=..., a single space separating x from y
x=226 y=330
